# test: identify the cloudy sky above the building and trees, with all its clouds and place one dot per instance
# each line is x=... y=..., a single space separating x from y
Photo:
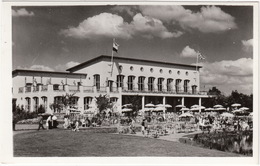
x=56 y=38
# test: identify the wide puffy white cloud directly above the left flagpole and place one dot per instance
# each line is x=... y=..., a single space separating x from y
x=112 y=25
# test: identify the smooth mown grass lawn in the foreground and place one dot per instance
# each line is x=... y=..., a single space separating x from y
x=65 y=143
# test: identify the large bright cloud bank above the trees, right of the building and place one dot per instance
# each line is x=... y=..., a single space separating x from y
x=229 y=75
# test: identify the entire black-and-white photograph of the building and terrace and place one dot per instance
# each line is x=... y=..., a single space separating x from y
x=134 y=80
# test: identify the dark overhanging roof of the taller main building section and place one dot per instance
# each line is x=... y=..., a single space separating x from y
x=107 y=57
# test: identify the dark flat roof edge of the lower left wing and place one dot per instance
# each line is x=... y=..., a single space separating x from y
x=19 y=71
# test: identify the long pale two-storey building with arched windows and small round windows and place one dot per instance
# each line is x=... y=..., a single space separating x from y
x=155 y=82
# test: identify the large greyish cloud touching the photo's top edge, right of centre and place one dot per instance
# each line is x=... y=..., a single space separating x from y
x=210 y=19
